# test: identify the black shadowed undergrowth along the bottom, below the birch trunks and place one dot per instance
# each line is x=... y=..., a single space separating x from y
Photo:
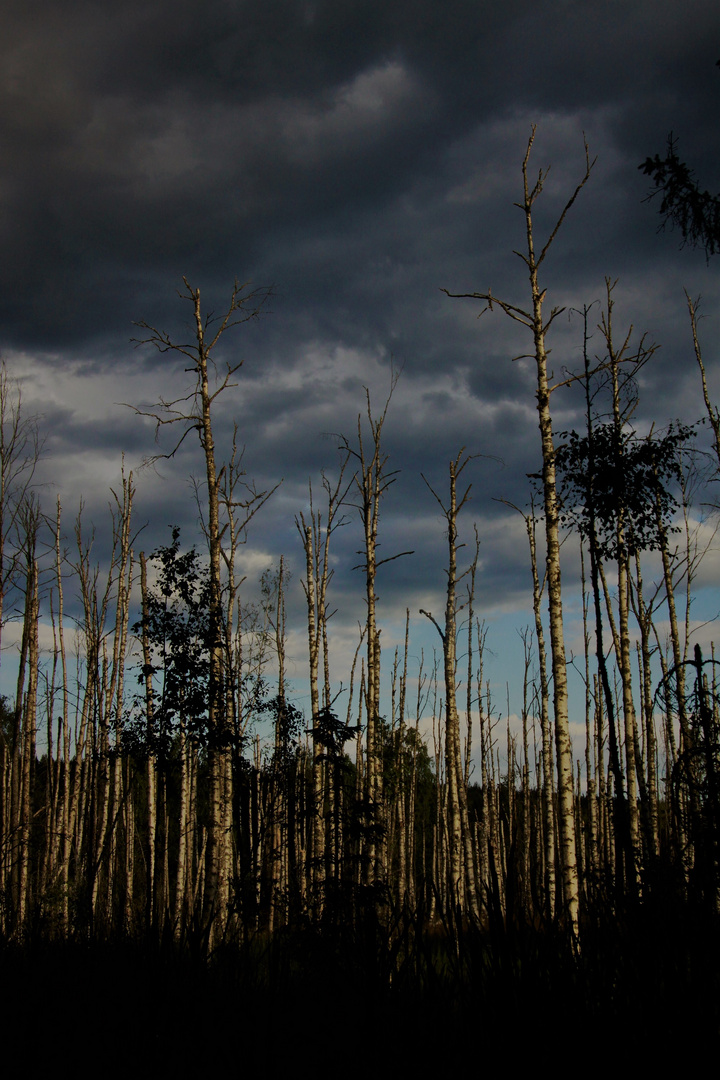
x=644 y=988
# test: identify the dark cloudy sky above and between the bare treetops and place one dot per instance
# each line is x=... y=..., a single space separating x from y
x=357 y=157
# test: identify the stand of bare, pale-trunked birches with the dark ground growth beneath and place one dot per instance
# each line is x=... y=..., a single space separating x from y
x=398 y=845
